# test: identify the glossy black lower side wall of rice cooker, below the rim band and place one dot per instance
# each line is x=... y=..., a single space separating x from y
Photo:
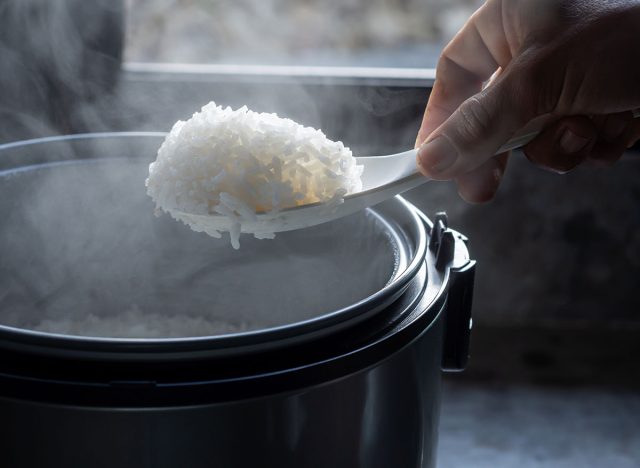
x=385 y=416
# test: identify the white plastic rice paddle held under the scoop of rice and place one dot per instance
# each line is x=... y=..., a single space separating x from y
x=383 y=178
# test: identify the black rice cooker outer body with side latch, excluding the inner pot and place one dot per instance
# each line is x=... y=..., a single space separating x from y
x=364 y=395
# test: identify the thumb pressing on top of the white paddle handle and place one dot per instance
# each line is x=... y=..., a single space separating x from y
x=477 y=129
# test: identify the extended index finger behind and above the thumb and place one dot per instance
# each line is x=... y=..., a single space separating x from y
x=469 y=60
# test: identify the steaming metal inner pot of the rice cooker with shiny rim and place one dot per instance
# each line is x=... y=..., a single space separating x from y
x=83 y=255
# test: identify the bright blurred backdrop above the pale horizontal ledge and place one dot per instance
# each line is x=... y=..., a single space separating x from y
x=277 y=31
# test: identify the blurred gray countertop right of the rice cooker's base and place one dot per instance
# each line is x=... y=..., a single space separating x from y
x=525 y=426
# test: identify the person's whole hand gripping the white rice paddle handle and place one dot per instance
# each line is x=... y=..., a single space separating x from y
x=572 y=64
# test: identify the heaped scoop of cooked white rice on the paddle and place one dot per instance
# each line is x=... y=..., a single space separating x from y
x=231 y=165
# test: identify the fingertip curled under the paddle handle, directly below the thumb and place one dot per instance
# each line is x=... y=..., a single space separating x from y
x=481 y=184
